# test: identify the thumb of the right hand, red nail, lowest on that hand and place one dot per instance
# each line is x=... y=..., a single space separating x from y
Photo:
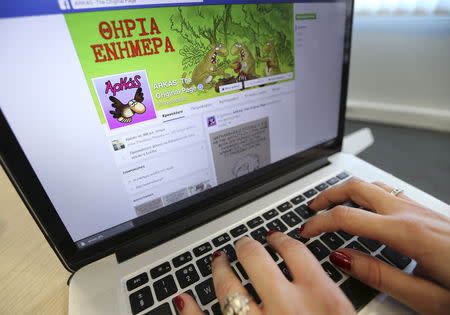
x=421 y=295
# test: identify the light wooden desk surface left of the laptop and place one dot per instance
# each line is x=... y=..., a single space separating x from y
x=32 y=280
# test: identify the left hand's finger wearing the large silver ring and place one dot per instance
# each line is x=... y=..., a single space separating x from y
x=226 y=283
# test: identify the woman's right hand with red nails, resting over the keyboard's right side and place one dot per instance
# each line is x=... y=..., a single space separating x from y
x=400 y=223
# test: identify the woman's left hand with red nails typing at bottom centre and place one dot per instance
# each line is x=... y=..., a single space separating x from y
x=310 y=292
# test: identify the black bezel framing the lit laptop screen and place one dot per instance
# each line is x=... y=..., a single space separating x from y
x=27 y=184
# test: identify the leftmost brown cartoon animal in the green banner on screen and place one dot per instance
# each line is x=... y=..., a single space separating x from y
x=207 y=69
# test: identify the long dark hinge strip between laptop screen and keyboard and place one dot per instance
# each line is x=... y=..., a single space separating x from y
x=212 y=211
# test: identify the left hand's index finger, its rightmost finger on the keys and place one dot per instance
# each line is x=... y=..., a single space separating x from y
x=301 y=263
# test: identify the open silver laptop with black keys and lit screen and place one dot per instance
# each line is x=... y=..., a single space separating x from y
x=145 y=135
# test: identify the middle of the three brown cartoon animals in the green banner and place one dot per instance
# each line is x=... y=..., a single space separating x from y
x=244 y=64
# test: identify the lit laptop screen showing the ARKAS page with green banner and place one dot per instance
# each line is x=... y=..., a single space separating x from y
x=125 y=107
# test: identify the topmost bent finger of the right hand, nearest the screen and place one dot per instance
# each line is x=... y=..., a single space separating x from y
x=364 y=194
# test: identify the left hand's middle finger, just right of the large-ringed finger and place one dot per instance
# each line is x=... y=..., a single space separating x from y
x=267 y=278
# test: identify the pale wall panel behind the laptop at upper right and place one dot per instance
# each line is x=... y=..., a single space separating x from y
x=400 y=71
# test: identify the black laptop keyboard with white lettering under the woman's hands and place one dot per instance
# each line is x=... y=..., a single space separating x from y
x=151 y=293
